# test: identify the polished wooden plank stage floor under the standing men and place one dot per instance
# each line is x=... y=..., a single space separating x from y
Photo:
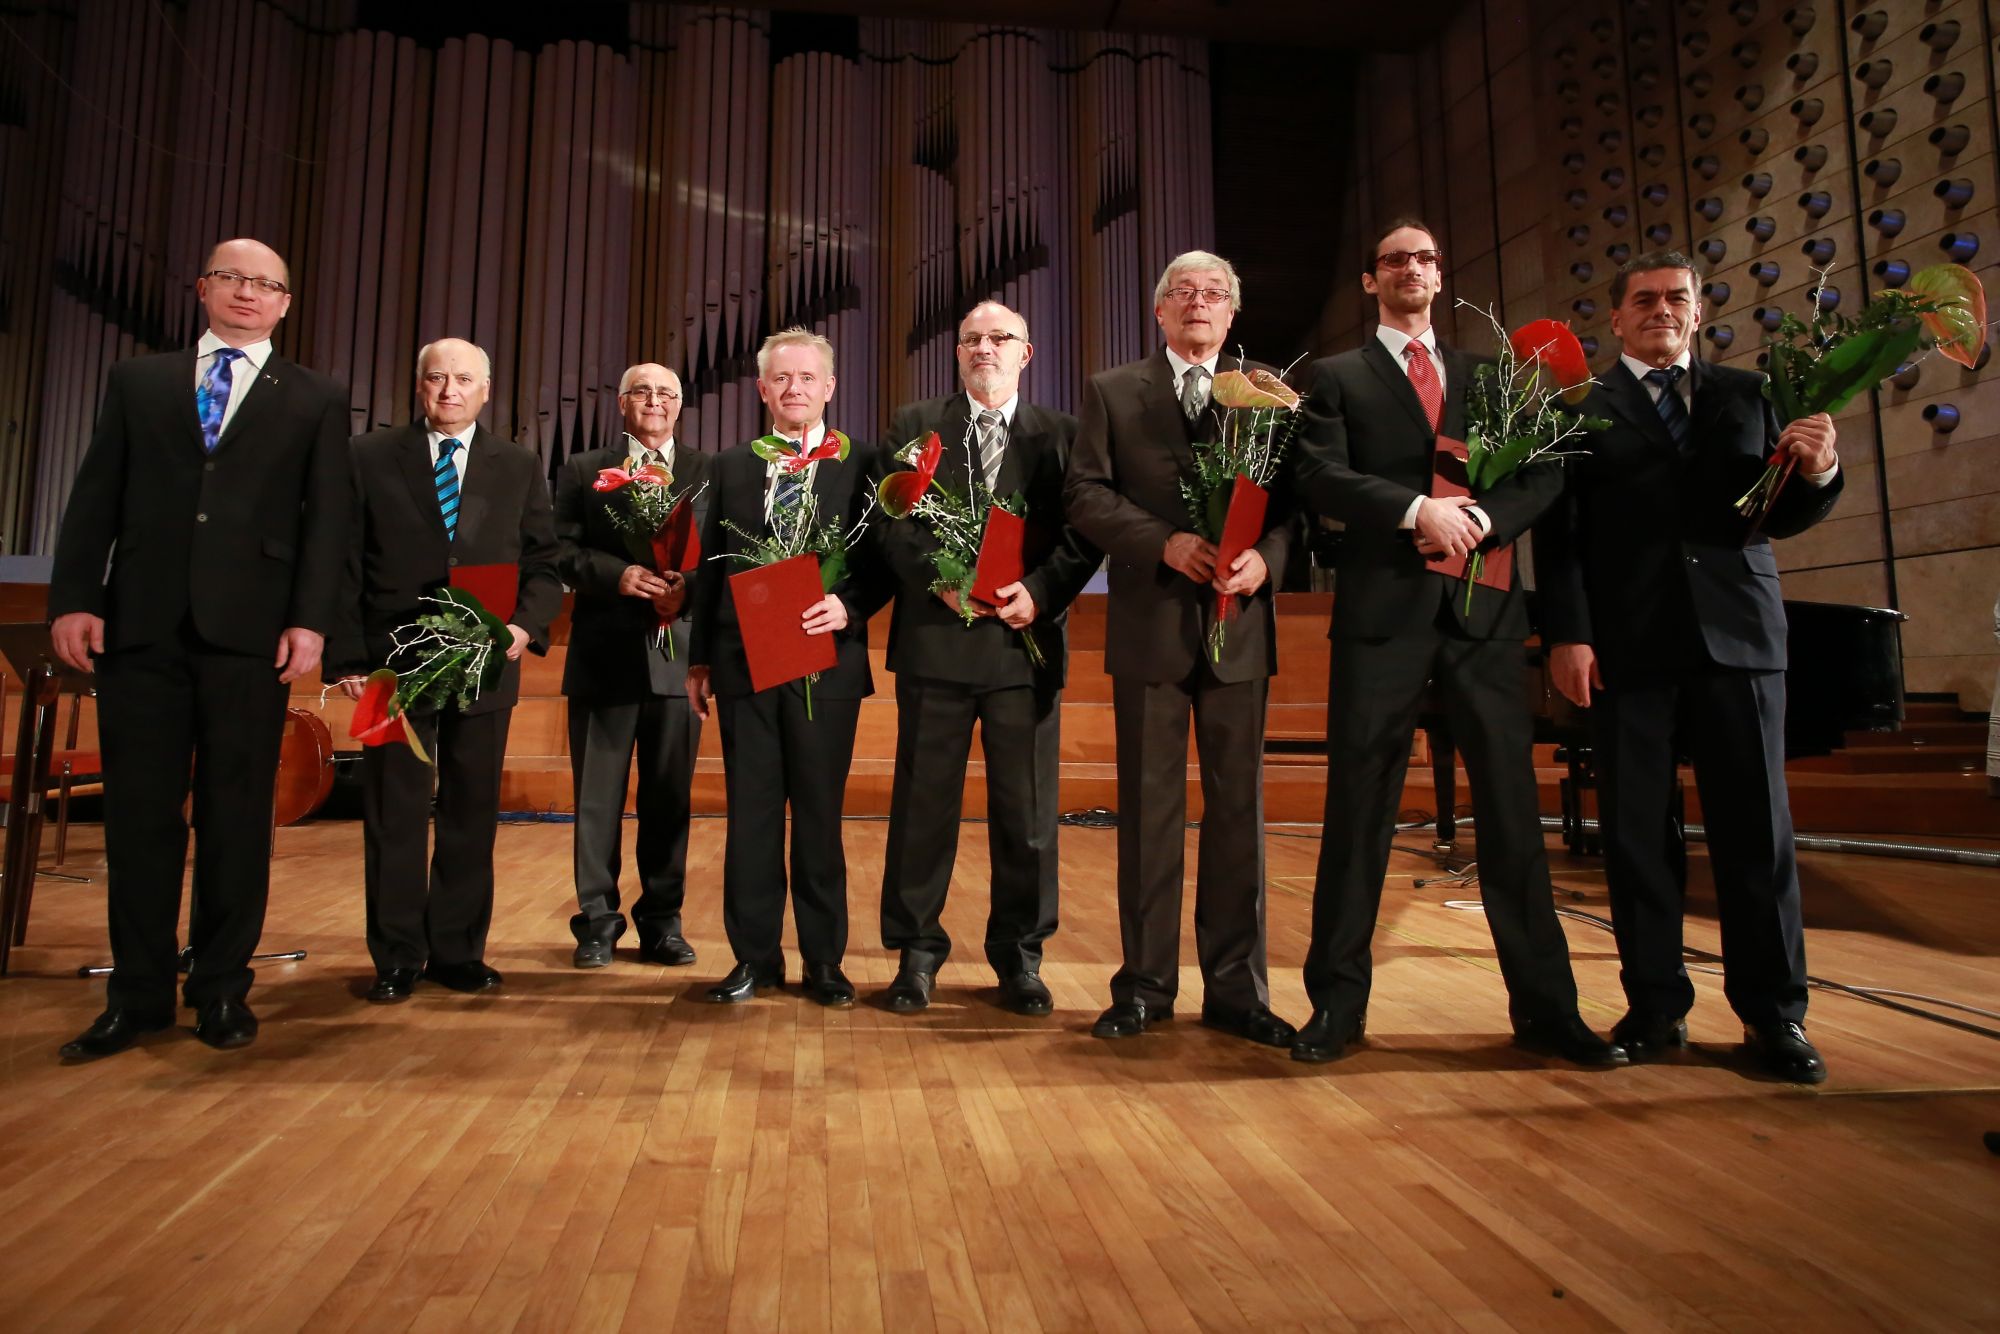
x=603 y=1151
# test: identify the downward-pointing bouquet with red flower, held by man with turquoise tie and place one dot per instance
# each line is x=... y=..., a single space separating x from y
x=457 y=651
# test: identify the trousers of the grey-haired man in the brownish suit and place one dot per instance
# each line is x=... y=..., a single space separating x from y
x=1151 y=721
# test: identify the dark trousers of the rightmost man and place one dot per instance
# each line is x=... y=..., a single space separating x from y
x=1731 y=727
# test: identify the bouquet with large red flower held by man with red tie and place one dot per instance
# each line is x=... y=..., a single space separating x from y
x=1511 y=409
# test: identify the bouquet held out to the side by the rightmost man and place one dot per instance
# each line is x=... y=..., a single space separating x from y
x=1825 y=365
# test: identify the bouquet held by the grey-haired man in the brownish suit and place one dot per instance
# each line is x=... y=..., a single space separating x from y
x=1227 y=497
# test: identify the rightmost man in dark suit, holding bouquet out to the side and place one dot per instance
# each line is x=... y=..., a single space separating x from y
x=1669 y=625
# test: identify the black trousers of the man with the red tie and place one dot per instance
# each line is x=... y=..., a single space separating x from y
x=1373 y=699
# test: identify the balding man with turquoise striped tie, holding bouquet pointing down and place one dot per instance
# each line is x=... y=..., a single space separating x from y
x=433 y=497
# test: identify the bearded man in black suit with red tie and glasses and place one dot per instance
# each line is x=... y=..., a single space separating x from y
x=1365 y=459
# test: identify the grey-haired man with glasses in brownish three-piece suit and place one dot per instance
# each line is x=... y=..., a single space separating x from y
x=1135 y=447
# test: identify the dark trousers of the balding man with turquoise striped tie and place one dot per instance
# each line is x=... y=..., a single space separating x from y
x=435 y=913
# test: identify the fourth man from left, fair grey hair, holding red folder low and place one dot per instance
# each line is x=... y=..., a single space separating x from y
x=775 y=753
